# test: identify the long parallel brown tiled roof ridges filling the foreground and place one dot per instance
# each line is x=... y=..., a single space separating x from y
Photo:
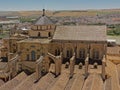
x=78 y=82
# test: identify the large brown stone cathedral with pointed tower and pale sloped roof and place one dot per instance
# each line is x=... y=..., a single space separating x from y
x=45 y=37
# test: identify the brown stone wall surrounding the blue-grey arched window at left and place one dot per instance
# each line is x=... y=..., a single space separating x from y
x=26 y=50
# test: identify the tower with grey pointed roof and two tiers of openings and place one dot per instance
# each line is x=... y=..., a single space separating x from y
x=43 y=27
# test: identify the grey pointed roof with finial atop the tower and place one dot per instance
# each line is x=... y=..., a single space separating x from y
x=43 y=20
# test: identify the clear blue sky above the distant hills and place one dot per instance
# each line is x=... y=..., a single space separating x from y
x=16 y=5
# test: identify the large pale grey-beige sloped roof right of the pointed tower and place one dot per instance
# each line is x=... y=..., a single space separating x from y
x=80 y=33
